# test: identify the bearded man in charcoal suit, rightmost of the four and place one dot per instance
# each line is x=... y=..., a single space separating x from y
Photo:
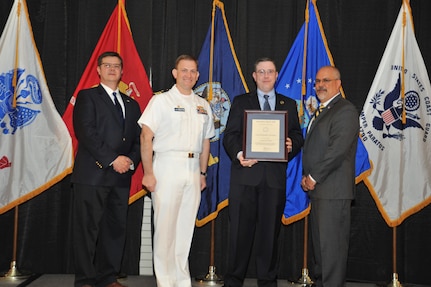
x=329 y=177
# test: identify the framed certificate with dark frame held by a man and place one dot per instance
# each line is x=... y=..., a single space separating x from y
x=265 y=134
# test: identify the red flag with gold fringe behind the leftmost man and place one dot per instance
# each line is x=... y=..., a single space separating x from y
x=117 y=37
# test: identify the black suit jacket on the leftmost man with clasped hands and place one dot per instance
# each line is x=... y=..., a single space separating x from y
x=102 y=138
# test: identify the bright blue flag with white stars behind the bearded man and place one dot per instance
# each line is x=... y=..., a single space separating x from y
x=296 y=80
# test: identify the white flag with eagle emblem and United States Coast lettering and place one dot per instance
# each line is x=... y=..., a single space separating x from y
x=395 y=125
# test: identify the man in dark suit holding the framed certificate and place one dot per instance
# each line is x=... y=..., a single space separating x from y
x=257 y=193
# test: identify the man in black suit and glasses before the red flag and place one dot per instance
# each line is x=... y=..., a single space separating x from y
x=105 y=124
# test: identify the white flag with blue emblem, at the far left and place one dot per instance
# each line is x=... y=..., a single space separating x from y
x=35 y=149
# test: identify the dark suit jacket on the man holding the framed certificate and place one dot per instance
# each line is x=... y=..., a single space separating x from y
x=273 y=172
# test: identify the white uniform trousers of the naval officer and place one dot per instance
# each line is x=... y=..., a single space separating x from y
x=175 y=201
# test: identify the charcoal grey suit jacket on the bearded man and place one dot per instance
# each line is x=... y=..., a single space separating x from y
x=330 y=150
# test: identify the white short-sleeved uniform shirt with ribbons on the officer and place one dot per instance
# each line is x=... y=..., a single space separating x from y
x=179 y=123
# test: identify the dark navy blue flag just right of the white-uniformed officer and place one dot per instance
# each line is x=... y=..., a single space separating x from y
x=220 y=80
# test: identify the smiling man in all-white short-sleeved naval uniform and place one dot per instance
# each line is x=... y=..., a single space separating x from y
x=175 y=143
